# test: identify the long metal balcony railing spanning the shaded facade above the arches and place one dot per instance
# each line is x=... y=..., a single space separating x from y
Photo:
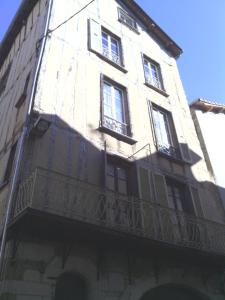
x=68 y=197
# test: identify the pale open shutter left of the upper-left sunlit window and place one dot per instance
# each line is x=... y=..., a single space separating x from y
x=95 y=40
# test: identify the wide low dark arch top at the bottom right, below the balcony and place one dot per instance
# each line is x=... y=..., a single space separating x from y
x=172 y=292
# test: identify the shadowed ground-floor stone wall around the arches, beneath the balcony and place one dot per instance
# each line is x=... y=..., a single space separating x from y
x=109 y=274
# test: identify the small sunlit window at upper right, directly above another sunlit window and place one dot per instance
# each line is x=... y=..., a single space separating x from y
x=152 y=72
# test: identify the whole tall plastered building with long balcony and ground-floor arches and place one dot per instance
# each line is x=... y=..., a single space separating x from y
x=104 y=188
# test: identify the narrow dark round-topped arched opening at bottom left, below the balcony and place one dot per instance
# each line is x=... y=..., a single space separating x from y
x=70 y=286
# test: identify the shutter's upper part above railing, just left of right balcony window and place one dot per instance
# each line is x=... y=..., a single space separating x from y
x=160 y=189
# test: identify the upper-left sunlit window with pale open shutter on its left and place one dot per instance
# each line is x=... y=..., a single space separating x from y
x=111 y=48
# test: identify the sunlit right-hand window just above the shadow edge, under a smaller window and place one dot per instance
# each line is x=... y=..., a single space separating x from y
x=165 y=136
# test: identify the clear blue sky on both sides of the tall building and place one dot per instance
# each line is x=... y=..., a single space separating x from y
x=198 y=26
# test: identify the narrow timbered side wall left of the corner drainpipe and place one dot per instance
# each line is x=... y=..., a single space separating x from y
x=16 y=78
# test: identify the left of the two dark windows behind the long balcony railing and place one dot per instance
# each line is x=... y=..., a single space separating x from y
x=121 y=180
